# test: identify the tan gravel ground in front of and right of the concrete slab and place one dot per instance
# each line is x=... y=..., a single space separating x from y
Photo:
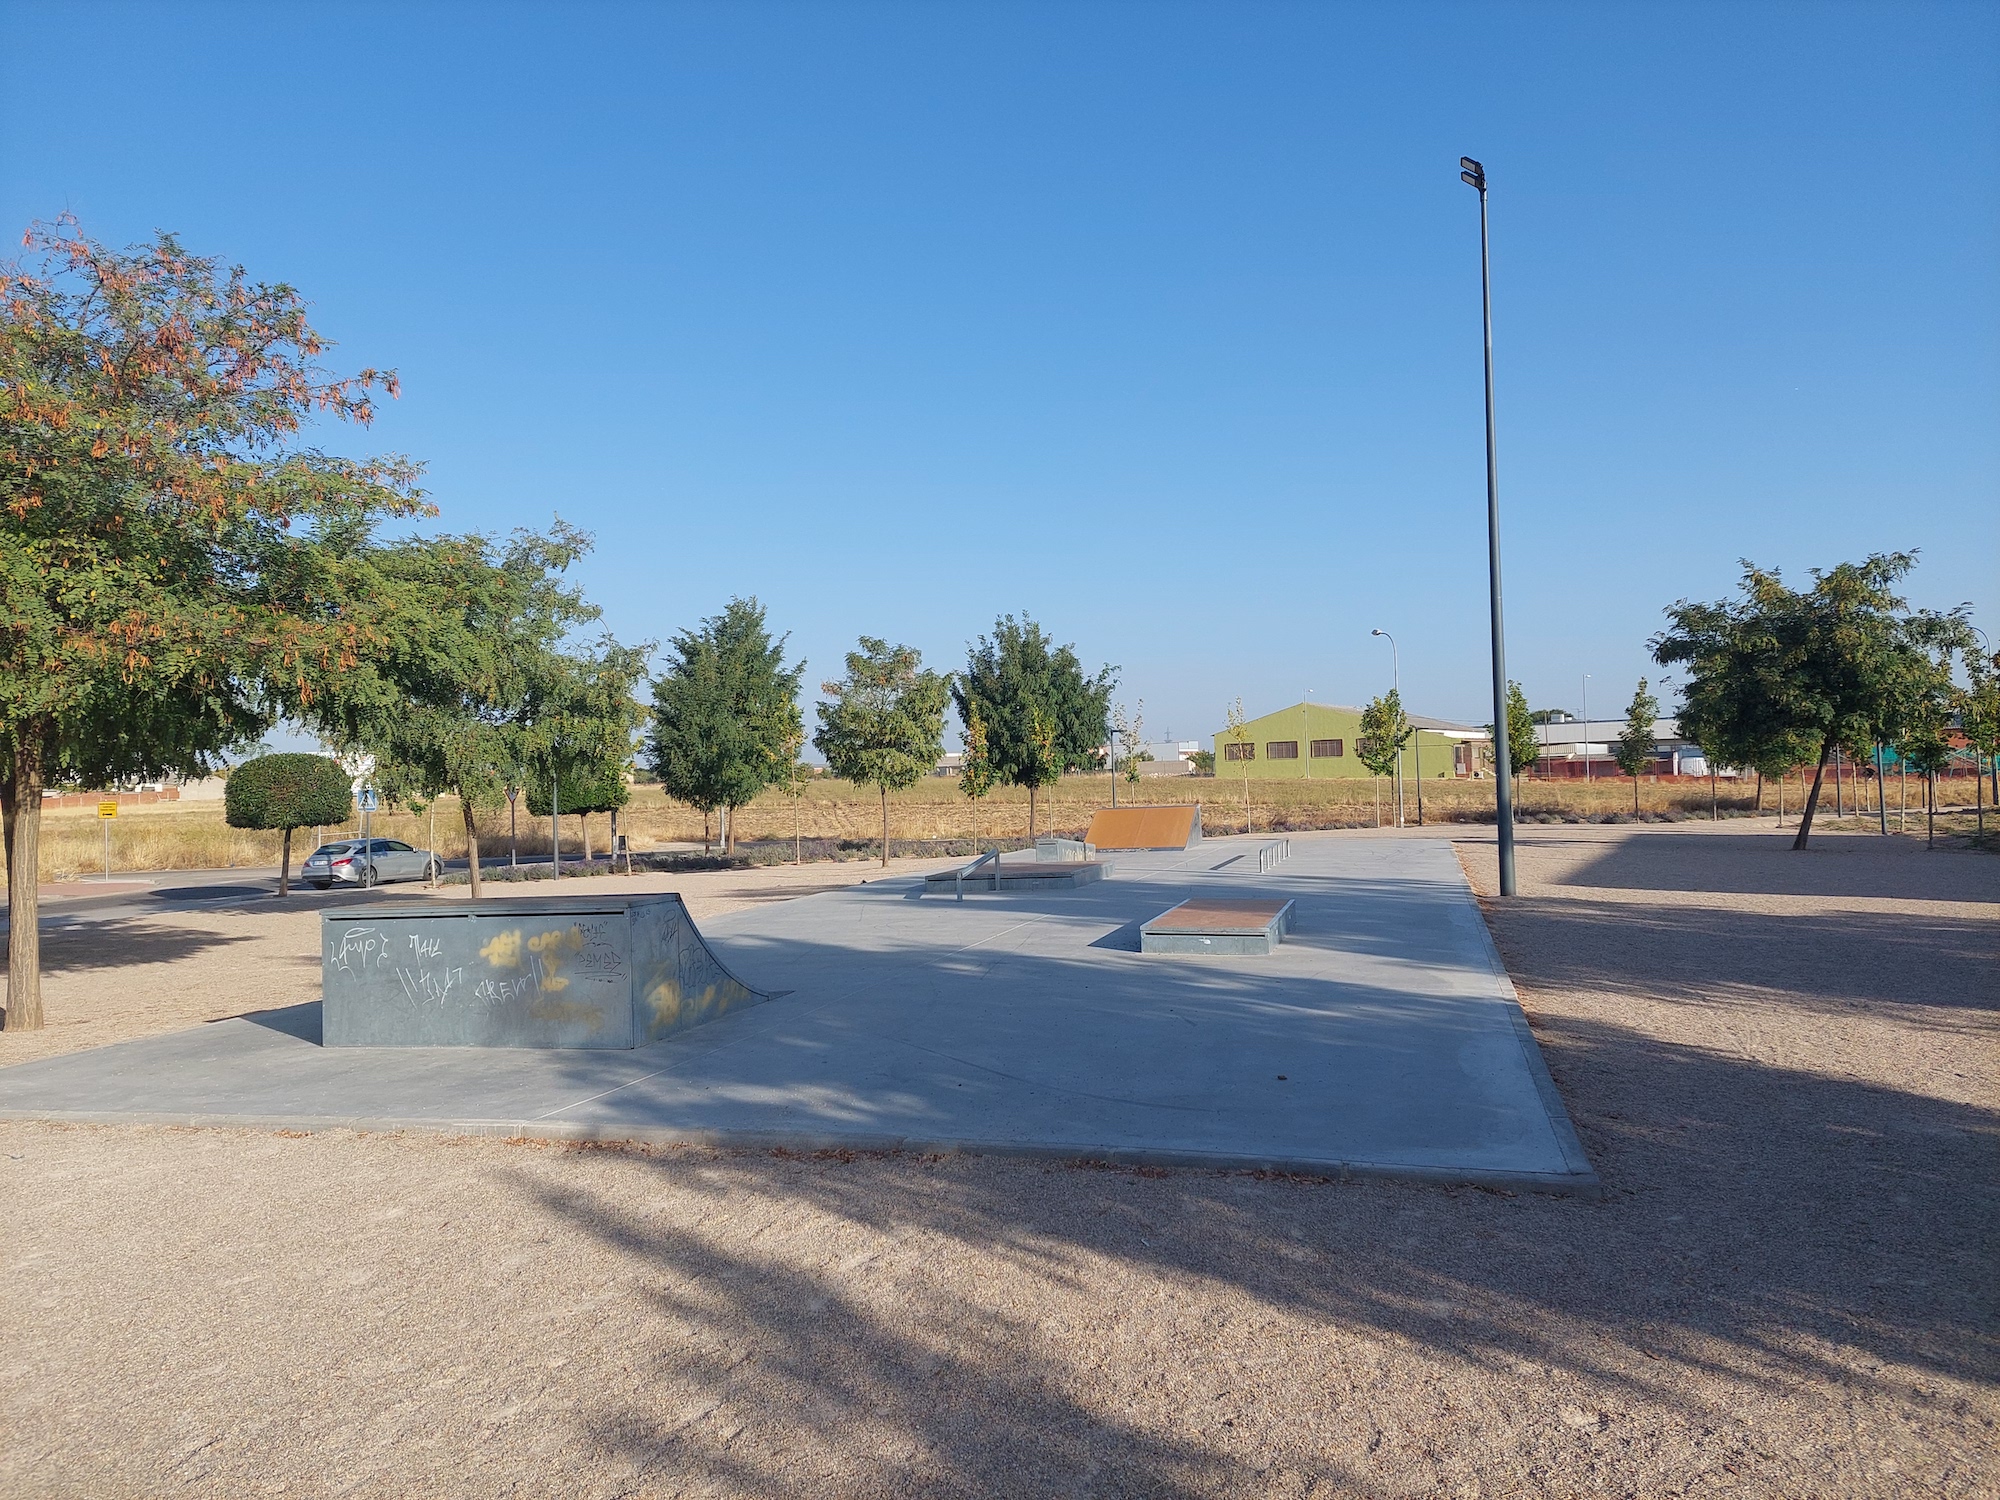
x=1783 y=1067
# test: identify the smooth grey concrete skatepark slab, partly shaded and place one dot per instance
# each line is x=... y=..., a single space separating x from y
x=1381 y=1039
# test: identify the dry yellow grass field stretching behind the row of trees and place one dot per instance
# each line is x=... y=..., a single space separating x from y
x=193 y=837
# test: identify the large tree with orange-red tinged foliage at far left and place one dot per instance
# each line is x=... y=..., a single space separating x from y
x=175 y=575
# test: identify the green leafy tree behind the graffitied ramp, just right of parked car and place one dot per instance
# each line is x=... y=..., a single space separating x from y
x=447 y=703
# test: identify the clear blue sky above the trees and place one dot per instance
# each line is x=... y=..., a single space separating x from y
x=1159 y=323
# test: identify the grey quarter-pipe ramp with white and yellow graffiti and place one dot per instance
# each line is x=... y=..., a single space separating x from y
x=537 y=973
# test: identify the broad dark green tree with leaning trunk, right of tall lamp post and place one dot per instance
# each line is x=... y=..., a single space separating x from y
x=1835 y=665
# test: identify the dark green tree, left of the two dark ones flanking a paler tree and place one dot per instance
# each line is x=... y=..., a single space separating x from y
x=723 y=713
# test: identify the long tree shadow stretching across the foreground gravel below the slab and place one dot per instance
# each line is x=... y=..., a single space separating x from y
x=1773 y=1229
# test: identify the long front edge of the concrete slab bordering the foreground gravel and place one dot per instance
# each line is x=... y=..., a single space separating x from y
x=811 y=1141
